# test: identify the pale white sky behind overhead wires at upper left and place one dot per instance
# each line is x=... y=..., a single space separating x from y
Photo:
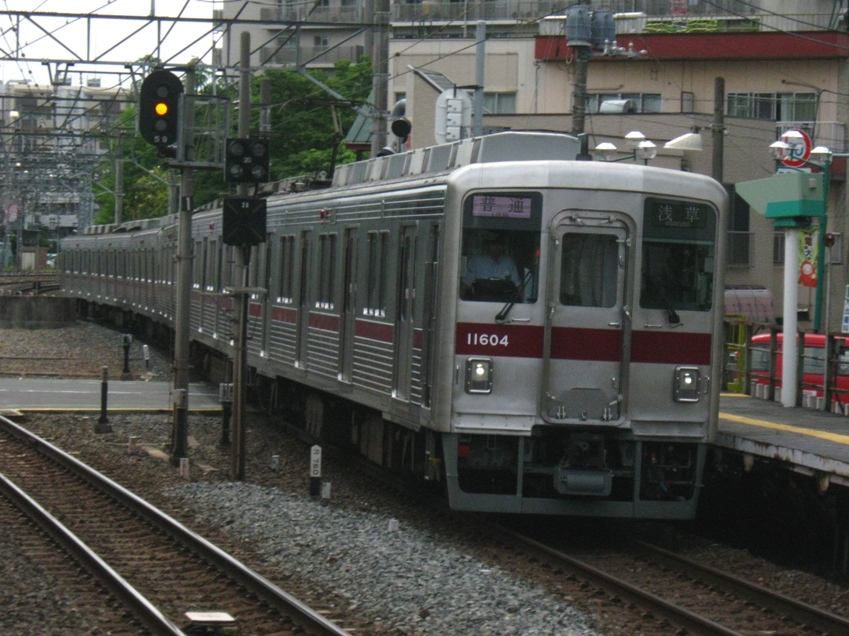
x=117 y=41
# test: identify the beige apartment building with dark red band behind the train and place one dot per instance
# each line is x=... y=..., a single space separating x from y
x=783 y=64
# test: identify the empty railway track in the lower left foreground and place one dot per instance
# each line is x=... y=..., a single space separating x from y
x=168 y=578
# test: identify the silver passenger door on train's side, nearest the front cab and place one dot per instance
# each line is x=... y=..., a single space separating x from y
x=404 y=312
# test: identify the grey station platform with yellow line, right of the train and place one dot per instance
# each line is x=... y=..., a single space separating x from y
x=807 y=441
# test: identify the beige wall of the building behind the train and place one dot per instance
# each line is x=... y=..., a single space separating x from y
x=544 y=96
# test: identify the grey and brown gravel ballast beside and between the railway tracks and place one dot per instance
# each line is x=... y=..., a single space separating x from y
x=368 y=551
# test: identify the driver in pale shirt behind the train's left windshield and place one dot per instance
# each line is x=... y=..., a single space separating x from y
x=484 y=271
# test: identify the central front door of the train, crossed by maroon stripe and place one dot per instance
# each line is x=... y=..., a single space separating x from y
x=587 y=333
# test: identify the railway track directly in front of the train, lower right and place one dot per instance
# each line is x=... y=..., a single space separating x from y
x=679 y=592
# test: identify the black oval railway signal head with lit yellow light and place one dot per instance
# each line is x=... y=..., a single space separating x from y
x=159 y=109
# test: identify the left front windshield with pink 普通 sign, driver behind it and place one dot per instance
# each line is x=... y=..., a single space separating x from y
x=500 y=251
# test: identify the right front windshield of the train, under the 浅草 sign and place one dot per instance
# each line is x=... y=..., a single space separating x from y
x=678 y=261
